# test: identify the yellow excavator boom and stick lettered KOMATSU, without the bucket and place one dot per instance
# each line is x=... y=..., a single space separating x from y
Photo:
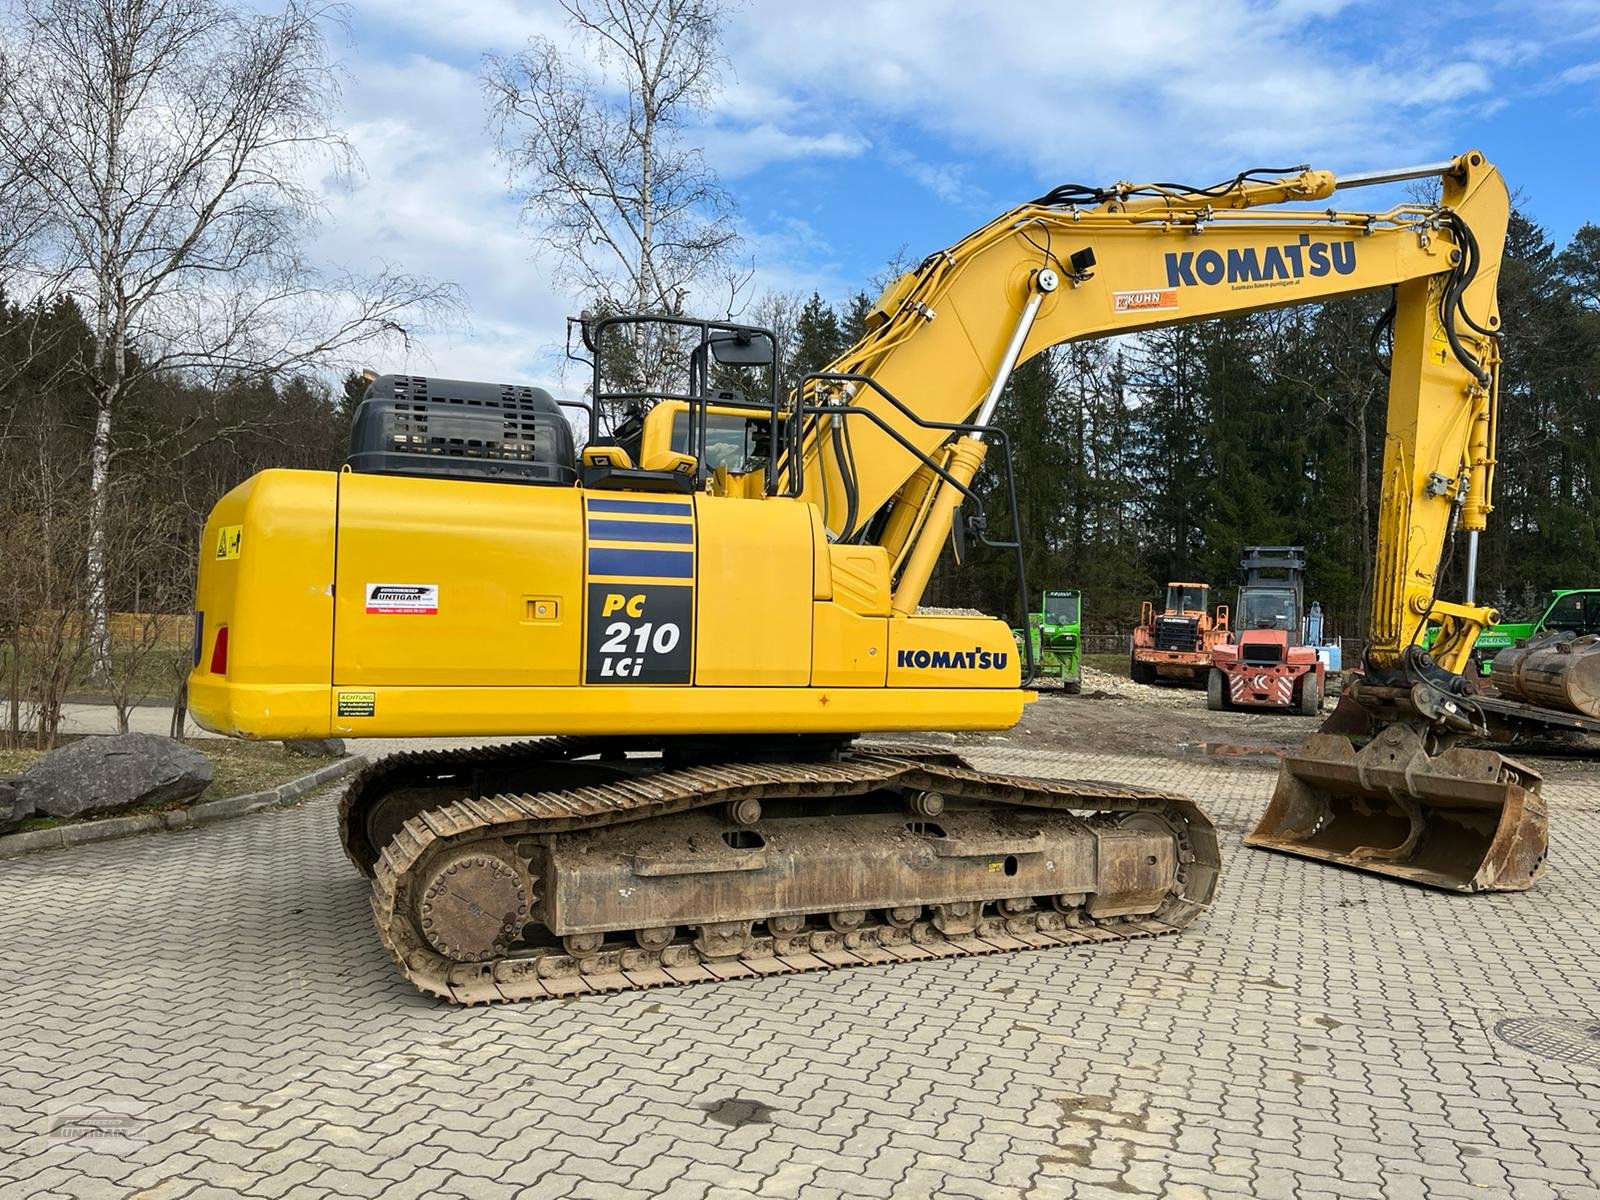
x=1081 y=265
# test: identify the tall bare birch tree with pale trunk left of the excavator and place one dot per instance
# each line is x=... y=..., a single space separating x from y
x=166 y=143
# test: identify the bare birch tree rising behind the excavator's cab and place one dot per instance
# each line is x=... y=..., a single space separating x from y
x=638 y=220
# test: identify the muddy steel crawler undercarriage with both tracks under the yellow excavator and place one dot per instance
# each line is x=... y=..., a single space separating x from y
x=569 y=866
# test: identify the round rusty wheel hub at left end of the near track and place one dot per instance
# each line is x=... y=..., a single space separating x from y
x=474 y=902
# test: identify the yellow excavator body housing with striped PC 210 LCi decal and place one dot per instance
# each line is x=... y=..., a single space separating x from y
x=375 y=606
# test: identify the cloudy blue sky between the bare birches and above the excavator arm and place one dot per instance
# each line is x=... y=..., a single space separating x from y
x=850 y=130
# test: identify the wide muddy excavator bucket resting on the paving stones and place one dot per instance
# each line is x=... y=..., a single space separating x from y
x=1463 y=820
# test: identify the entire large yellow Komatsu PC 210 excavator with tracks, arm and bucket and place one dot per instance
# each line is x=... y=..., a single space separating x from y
x=706 y=607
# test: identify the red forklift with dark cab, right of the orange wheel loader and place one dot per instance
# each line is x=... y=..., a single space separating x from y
x=1268 y=665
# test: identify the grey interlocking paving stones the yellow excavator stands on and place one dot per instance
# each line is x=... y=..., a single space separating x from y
x=1319 y=1034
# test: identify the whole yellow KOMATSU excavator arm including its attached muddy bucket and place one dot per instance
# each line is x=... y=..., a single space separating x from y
x=1087 y=263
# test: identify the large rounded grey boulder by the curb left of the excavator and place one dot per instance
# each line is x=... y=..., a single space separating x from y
x=105 y=775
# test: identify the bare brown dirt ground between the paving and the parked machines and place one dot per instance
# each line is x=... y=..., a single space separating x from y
x=1118 y=716
